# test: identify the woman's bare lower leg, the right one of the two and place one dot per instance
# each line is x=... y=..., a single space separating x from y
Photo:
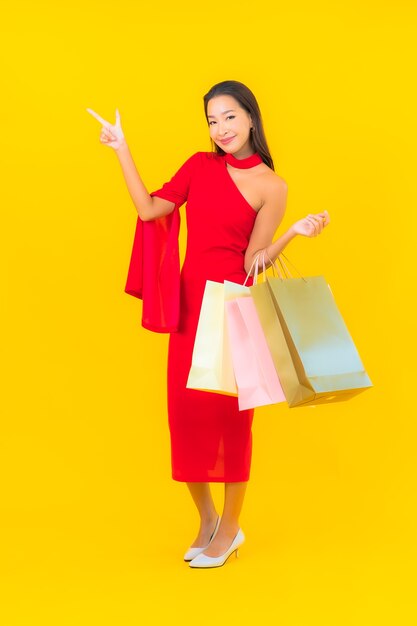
x=229 y=525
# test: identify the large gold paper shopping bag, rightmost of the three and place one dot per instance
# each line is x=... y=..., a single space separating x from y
x=312 y=349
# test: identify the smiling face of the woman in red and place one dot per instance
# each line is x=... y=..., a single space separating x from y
x=229 y=125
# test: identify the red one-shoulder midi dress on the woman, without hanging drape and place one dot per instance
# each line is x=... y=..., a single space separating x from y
x=211 y=440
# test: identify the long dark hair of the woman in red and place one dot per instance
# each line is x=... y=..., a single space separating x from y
x=247 y=101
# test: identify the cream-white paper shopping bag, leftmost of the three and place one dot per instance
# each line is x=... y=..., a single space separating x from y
x=211 y=366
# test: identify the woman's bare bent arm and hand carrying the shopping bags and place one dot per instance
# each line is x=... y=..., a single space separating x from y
x=270 y=217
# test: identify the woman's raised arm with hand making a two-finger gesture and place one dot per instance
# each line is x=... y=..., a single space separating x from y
x=148 y=207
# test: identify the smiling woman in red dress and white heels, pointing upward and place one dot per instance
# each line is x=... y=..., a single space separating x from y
x=235 y=203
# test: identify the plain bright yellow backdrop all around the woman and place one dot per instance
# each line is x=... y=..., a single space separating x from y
x=93 y=528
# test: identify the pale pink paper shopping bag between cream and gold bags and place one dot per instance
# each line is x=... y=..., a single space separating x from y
x=256 y=378
